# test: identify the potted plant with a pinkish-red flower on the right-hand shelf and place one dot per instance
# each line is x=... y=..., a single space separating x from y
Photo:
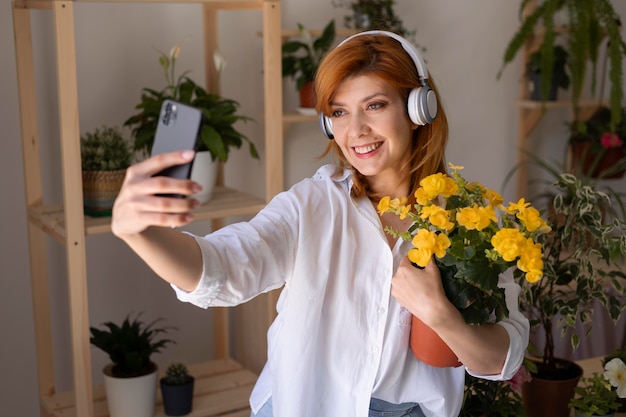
x=596 y=150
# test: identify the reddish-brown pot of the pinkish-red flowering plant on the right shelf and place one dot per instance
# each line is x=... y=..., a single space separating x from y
x=583 y=156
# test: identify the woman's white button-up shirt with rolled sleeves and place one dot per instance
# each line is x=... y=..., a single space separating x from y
x=340 y=338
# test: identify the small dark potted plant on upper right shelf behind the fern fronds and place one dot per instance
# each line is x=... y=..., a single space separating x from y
x=547 y=90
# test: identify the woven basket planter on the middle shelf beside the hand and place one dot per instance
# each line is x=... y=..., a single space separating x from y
x=100 y=188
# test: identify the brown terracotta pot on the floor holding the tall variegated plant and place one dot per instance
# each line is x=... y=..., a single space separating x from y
x=550 y=397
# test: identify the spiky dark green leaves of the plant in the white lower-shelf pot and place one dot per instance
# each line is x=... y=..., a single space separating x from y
x=130 y=345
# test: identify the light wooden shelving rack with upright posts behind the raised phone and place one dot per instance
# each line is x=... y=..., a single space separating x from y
x=224 y=386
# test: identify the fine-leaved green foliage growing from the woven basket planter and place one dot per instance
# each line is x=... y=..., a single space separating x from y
x=105 y=149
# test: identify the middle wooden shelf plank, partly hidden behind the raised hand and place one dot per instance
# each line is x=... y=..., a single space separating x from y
x=226 y=202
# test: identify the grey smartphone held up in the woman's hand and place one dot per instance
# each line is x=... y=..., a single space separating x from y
x=177 y=129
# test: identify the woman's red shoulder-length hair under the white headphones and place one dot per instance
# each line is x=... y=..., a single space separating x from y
x=385 y=58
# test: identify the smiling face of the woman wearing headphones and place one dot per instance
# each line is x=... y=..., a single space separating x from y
x=373 y=130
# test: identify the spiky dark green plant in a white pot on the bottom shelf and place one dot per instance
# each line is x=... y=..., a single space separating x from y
x=131 y=377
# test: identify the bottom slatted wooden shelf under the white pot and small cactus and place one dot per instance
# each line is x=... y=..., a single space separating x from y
x=222 y=388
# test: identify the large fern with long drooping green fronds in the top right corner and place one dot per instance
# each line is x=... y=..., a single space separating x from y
x=587 y=23
